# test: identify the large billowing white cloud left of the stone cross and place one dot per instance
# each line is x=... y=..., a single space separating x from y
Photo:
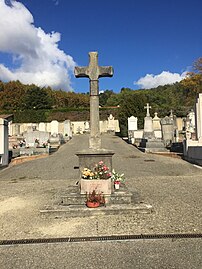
x=35 y=52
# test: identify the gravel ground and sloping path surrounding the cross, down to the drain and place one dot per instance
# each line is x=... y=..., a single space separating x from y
x=172 y=186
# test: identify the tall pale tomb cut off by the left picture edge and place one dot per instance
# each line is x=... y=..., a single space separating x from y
x=4 y=154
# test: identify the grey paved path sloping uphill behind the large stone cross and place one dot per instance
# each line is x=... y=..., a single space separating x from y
x=127 y=159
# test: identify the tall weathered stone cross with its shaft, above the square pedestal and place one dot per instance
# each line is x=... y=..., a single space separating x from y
x=94 y=72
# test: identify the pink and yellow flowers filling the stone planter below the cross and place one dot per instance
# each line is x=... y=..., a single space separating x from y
x=99 y=171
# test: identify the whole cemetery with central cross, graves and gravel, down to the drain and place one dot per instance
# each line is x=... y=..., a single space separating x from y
x=96 y=183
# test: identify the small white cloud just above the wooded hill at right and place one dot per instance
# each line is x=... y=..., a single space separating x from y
x=152 y=81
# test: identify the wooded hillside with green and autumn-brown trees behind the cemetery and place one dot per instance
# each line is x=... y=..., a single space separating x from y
x=30 y=103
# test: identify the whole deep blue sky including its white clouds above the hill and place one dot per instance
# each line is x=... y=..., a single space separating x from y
x=148 y=42
